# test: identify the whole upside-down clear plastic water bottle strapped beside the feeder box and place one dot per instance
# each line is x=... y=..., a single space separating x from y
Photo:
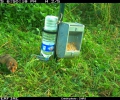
x=49 y=36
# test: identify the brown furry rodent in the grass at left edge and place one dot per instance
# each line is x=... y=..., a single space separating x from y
x=9 y=61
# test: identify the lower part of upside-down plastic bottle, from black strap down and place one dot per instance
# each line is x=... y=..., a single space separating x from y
x=48 y=43
